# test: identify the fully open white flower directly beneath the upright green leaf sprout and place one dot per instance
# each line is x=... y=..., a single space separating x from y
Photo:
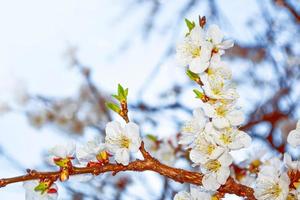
x=122 y=140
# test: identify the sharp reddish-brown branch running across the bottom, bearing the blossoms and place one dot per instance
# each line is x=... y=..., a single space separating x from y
x=148 y=164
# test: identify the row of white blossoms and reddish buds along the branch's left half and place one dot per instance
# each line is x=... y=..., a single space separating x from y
x=120 y=141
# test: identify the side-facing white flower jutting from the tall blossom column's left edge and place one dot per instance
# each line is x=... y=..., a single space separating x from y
x=193 y=127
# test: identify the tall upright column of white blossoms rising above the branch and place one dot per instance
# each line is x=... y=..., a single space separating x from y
x=214 y=129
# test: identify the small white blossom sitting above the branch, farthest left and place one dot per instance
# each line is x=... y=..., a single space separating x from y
x=61 y=152
